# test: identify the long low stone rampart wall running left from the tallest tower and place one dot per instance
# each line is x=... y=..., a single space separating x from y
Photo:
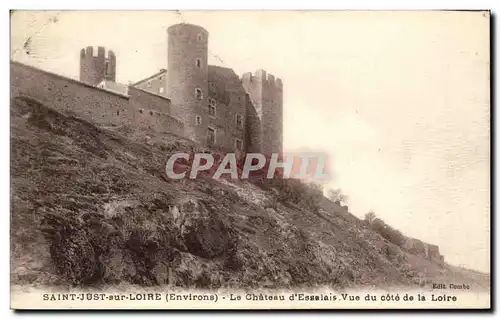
x=93 y=104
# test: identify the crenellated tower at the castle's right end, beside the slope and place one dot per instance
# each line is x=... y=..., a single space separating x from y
x=266 y=94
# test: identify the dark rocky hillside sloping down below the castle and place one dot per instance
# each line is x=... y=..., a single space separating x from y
x=91 y=206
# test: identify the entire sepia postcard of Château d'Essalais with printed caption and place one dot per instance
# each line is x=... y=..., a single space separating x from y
x=250 y=159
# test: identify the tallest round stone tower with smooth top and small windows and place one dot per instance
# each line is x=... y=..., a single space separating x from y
x=187 y=78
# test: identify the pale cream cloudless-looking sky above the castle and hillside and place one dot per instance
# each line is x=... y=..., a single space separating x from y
x=399 y=100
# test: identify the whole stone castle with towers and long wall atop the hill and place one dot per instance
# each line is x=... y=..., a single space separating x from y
x=208 y=104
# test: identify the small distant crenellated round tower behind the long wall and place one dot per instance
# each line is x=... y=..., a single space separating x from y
x=97 y=66
